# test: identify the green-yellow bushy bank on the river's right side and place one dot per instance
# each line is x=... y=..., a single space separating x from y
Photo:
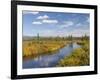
x=79 y=57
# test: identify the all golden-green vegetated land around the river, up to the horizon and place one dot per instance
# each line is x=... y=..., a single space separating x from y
x=37 y=46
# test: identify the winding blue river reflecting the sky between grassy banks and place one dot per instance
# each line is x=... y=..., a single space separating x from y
x=49 y=60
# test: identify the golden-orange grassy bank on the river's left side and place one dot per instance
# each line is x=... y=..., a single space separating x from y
x=34 y=48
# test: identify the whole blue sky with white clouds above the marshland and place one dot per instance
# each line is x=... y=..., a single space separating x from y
x=55 y=23
